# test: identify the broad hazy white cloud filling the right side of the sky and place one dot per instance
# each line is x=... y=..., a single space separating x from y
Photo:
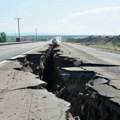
x=95 y=21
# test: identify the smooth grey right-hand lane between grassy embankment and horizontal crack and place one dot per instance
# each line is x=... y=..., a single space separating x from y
x=104 y=56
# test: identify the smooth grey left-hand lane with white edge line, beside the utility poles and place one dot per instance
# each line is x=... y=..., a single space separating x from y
x=9 y=51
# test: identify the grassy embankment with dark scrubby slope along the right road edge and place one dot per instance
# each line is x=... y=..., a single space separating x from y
x=106 y=42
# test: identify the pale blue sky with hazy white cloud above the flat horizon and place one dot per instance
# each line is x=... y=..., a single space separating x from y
x=76 y=17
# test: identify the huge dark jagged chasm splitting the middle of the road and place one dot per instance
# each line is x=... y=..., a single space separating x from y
x=74 y=86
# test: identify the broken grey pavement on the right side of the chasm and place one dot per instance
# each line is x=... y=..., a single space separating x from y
x=107 y=66
